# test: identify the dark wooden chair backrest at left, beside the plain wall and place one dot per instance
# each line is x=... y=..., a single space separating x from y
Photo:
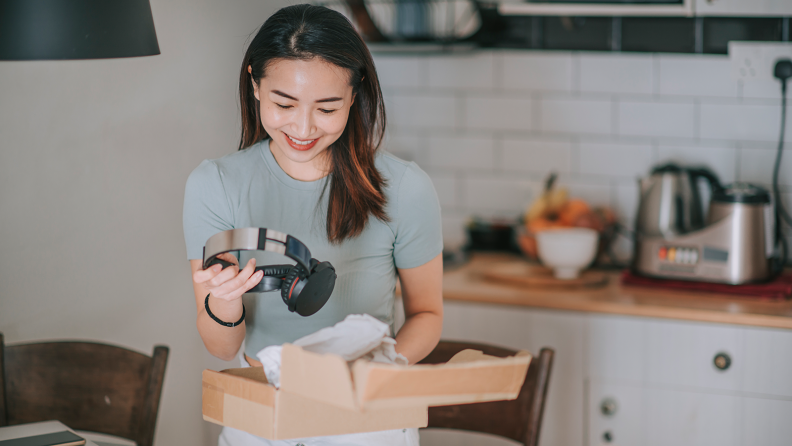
x=87 y=386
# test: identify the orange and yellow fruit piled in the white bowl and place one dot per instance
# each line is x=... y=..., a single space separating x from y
x=554 y=209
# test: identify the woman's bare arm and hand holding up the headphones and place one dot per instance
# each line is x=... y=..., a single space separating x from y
x=225 y=288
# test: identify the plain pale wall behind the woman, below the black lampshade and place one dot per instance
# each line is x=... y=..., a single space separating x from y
x=93 y=160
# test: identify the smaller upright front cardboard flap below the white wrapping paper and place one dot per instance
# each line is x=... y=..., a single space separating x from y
x=325 y=378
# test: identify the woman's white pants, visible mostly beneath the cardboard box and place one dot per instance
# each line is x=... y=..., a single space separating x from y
x=396 y=437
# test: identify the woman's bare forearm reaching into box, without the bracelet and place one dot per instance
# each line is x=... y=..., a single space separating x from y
x=422 y=293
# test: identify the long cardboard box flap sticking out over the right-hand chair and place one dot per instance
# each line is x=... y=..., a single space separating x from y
x=469 y=377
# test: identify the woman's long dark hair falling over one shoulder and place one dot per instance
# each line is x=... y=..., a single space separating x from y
x=304 y=32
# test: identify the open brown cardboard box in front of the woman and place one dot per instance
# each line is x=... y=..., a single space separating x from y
x=322 y=395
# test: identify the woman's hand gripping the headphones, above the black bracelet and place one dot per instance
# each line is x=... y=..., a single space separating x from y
x=228 y=283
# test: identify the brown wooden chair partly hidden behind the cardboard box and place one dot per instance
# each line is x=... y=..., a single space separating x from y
x=518 y=420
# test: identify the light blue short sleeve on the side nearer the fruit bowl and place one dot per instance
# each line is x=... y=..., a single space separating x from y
x=419 y=236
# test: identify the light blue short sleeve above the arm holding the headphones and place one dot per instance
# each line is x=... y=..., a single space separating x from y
x=206 y=208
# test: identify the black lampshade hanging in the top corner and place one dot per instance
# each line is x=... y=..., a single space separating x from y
x=76 y=29
